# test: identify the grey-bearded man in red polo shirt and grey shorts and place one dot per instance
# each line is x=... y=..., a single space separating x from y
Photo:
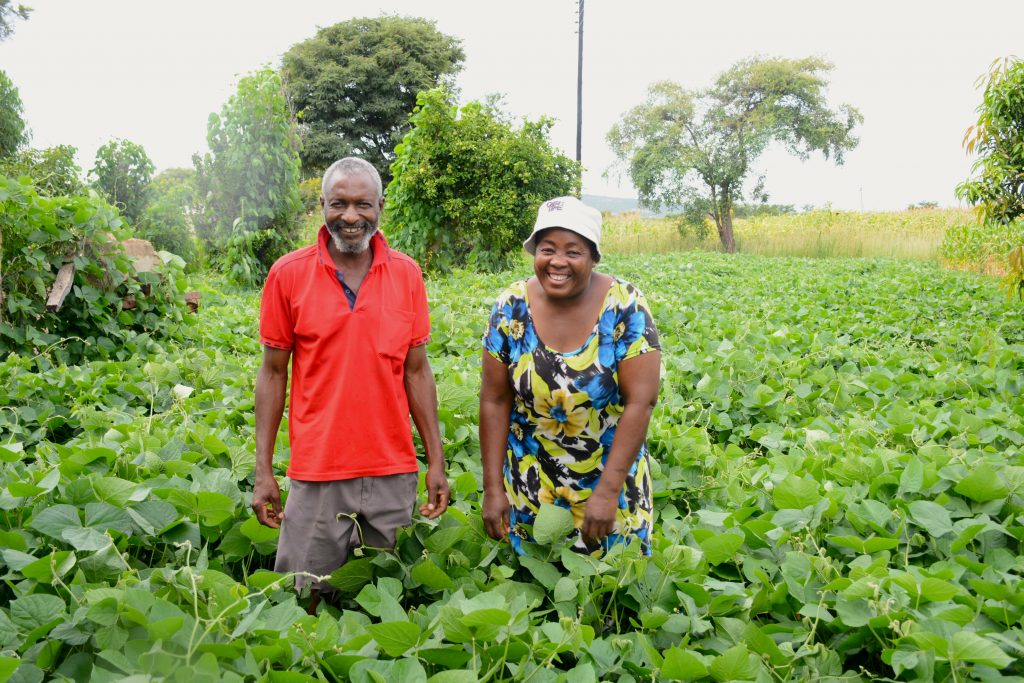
x=352 y=314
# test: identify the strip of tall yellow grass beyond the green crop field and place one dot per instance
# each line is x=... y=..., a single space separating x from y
x=914 y=234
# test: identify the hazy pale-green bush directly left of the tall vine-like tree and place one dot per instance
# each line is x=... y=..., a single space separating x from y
x=166 y=221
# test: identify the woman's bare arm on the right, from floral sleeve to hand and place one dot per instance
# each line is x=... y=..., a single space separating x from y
x=638 y=382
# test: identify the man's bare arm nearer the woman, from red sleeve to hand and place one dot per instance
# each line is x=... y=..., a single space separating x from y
x=422 y=394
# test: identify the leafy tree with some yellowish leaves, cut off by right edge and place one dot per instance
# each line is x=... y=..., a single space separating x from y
x=998 y=187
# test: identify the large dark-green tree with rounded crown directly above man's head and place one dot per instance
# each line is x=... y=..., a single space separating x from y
x=354 y=86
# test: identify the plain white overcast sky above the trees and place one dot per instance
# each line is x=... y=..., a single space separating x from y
x=153 y=72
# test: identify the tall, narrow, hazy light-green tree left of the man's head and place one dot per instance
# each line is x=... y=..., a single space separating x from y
x=249 y=182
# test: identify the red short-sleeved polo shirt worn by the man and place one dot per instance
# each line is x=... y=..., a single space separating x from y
x=349 y=415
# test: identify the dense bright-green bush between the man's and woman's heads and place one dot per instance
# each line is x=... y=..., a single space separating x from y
x=467 y=184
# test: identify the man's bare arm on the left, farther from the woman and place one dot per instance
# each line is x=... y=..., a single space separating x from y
x=272 y=385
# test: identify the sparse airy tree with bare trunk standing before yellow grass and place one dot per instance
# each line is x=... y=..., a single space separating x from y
x=696 y=149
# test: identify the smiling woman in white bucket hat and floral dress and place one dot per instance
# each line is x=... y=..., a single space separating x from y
x=571 y=376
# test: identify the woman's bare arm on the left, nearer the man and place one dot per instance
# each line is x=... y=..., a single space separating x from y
x=496 y=411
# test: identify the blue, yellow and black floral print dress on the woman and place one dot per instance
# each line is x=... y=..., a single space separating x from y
x=566 y=412
